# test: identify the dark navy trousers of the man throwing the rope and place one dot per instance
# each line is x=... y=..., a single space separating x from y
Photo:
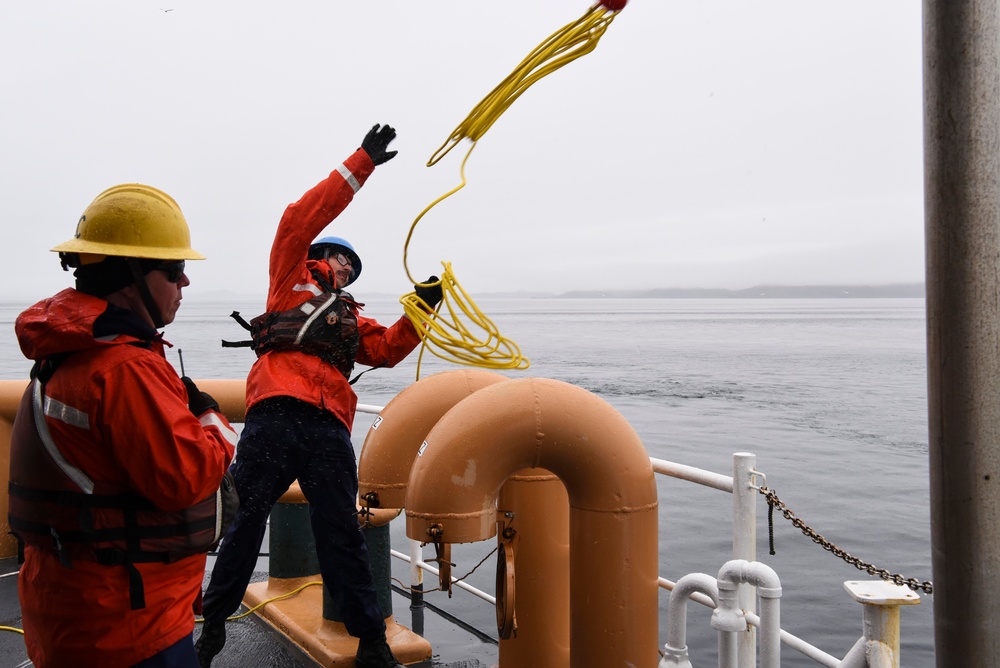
x=285 y=439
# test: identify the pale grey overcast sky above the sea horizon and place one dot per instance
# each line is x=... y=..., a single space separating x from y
x=702 y=144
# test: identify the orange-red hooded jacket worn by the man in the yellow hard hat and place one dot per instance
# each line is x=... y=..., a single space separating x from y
x=120 y=414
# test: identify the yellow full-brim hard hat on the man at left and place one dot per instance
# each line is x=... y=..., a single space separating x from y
x=132 y=220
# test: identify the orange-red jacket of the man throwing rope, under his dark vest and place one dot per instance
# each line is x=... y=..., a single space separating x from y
x=300 y=375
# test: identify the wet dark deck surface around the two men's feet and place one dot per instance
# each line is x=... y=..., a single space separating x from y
x=250 y=645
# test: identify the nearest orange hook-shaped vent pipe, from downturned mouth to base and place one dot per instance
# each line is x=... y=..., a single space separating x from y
x=547 y=424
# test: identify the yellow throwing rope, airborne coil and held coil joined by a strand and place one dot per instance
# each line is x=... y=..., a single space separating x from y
x=449 y=339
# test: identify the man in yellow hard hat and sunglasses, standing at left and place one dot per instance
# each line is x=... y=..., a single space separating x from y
x=116 y=461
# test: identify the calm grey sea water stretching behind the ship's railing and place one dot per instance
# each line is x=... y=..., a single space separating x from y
x=830 y=394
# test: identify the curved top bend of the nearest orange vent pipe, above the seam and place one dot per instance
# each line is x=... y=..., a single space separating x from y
x=520 y=424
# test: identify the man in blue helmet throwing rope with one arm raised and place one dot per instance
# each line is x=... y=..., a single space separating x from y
x=300 y=408
